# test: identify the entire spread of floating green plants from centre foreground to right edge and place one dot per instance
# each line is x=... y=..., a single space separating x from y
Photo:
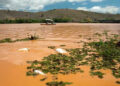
x=99 y=54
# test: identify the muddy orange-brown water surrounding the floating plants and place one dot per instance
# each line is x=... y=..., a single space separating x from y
x=13 y=62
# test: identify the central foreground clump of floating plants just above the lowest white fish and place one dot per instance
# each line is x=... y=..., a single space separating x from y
x=56 y=63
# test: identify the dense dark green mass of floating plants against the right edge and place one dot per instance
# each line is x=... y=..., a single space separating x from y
x=105 y=54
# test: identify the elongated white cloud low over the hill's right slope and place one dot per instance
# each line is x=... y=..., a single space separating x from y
x=107 y=9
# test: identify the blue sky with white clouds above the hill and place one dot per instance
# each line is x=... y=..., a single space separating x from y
x=101 y=6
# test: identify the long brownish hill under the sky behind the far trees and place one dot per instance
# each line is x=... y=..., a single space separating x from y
x=75 y=15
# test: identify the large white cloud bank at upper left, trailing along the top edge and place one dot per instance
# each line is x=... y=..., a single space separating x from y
x=33 y=5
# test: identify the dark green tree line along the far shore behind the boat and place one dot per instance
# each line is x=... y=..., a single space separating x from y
x=58 y=20
